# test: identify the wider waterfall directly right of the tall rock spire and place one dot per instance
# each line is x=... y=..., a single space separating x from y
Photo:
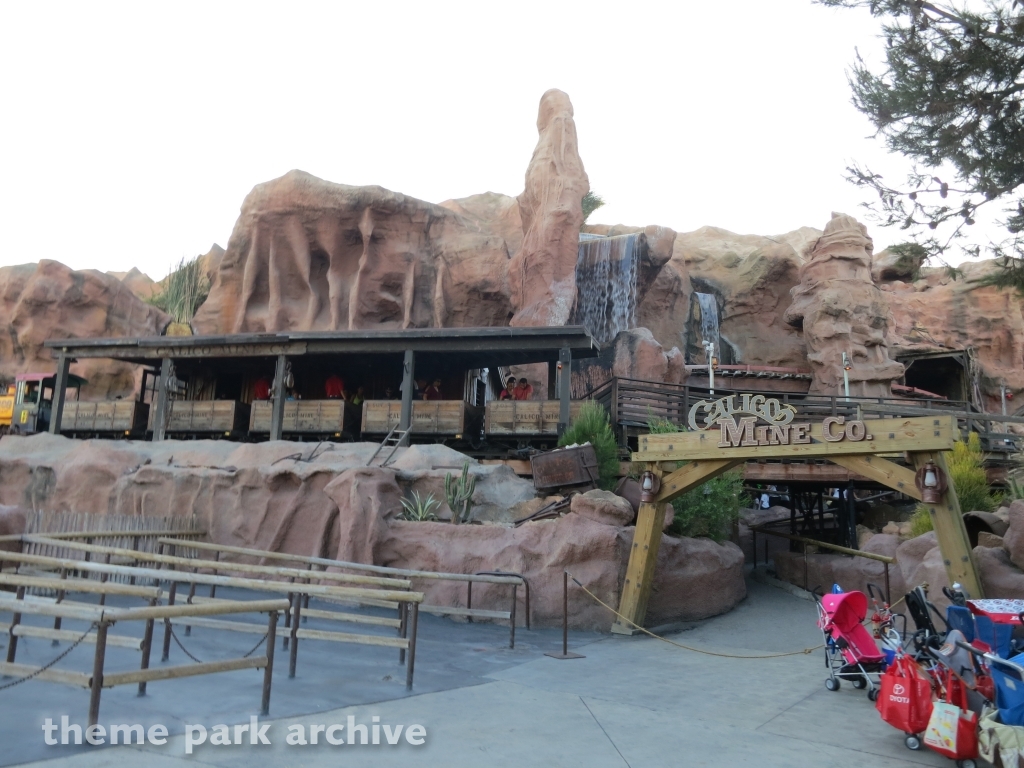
x=607 y=285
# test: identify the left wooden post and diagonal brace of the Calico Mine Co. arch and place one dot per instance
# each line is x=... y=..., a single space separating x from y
x=648 y=538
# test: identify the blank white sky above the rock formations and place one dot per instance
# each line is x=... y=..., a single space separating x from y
x=131 y=134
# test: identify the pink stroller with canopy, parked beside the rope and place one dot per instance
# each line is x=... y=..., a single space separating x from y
x=850 y=650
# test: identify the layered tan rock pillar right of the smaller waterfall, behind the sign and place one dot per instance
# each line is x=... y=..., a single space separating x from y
x=840 y=310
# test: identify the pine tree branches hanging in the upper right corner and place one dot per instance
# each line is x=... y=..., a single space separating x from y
x=949 y=98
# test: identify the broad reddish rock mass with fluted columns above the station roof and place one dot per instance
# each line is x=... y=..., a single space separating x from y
x=311 y=255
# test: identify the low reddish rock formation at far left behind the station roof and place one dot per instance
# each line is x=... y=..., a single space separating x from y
x=49 y=301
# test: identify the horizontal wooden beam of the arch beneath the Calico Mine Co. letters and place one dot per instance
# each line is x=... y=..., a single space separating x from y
x=888 y=437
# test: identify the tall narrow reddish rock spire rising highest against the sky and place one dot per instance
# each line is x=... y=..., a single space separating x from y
x=542 y=276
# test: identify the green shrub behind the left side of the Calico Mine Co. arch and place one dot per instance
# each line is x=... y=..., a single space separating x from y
x=710 y=509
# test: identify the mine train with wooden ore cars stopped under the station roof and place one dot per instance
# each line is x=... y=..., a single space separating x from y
x=496 y=426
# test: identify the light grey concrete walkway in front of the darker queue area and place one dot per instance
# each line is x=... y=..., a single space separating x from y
x=632 y=702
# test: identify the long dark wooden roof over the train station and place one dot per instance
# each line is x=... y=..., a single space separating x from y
x=465 y=348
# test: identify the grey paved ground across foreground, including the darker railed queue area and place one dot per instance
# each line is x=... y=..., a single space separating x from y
x=632 y=702
